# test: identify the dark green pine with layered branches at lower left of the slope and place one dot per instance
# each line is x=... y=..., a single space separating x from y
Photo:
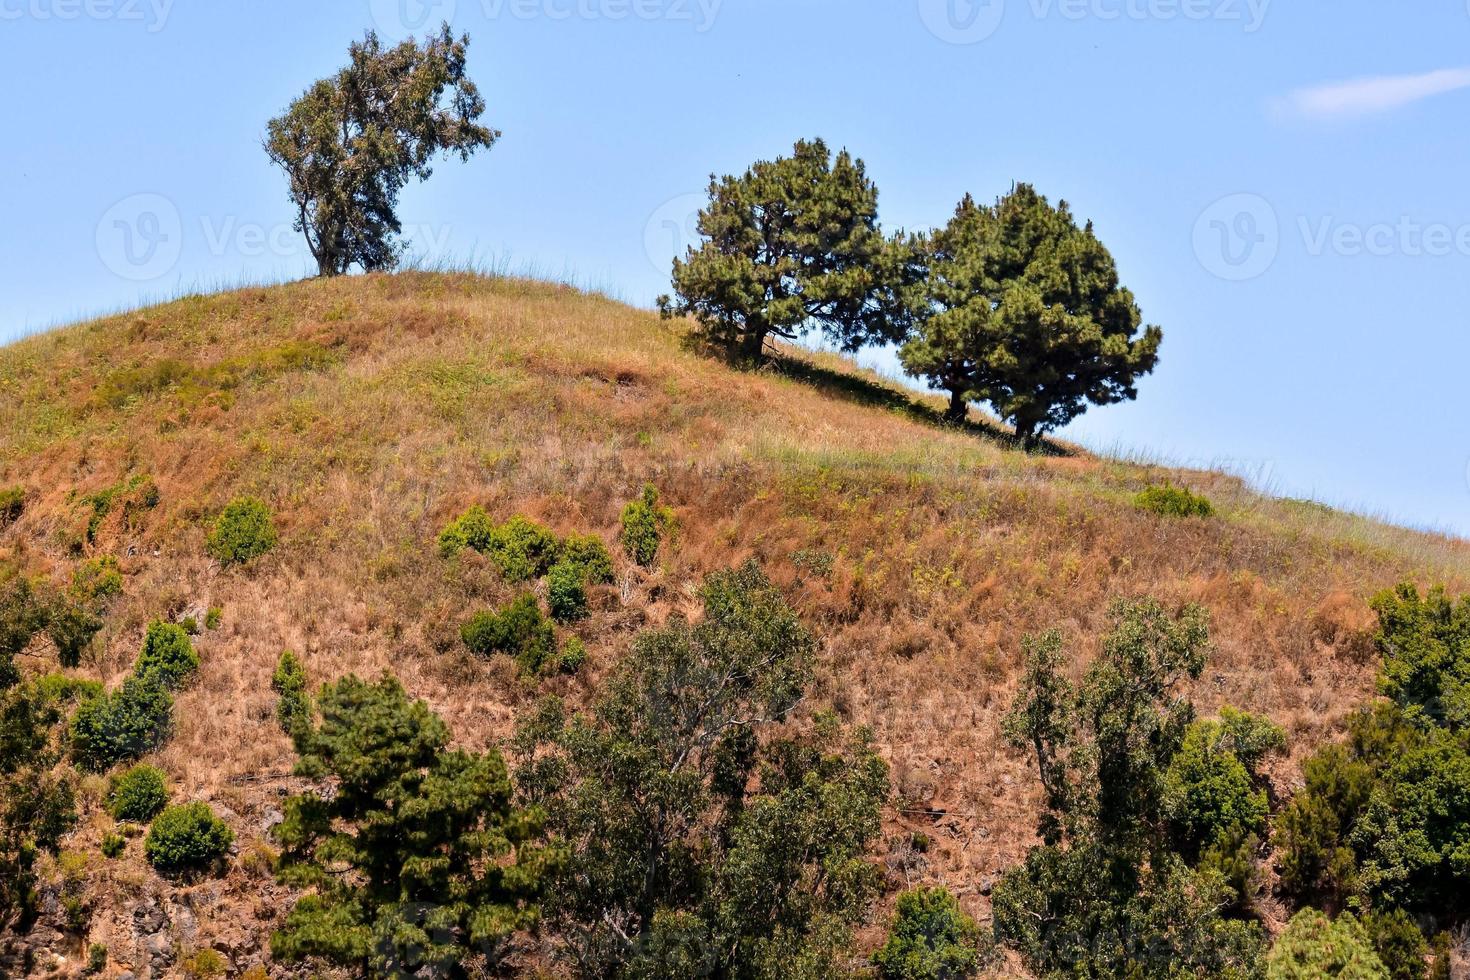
x=443 y=866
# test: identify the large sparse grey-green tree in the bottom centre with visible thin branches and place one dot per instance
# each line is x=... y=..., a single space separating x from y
x=699 y=846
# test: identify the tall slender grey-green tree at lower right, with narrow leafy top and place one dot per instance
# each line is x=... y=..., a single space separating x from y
x=1106 y=896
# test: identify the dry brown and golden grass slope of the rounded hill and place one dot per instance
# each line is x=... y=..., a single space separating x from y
x=370 y=412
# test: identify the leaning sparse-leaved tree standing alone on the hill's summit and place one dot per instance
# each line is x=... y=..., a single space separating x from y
x=352 y=142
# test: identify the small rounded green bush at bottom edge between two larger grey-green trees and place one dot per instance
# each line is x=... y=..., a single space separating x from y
x=931 y=940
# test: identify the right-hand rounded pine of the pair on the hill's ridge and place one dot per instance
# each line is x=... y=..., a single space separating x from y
x=1022 y=309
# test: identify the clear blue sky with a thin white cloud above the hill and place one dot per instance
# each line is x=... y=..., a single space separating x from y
x=1281 y=183
